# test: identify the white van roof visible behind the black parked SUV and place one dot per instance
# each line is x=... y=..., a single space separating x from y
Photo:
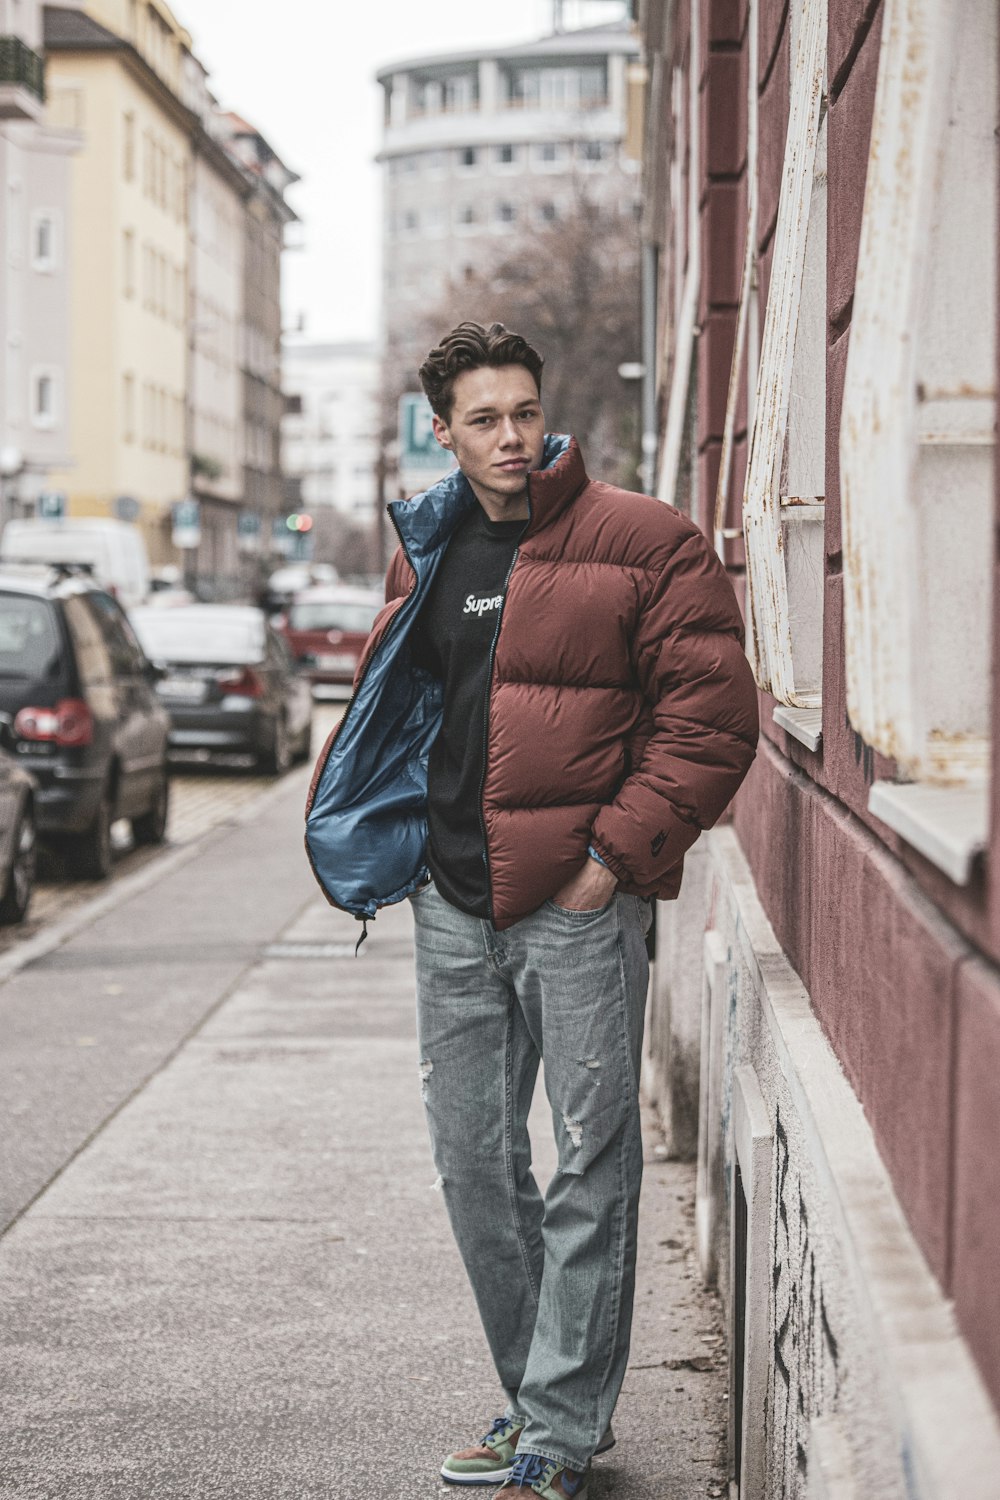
x=115 y=551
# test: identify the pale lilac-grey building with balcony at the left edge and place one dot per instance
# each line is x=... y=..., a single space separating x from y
x=35 y=232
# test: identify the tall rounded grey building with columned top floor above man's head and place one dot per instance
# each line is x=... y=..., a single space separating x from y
x=482 y=149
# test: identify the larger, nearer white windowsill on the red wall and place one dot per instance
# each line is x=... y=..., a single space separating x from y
x=948 y=826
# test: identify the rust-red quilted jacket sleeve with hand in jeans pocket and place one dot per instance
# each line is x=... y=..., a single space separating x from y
x=689 y=656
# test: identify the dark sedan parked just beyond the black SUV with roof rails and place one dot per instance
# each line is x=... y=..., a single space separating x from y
x=229 y=683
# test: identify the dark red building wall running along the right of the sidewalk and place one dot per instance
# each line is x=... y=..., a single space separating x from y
x=899 y=962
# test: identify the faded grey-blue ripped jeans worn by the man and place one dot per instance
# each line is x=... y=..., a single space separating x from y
x=554 y=1280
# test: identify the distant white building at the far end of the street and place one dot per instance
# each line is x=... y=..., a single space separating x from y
x=332 y=445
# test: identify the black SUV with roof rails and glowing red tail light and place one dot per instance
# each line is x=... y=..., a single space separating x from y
x=85 y=716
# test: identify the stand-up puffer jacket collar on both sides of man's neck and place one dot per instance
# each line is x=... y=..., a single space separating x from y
x=427 y=521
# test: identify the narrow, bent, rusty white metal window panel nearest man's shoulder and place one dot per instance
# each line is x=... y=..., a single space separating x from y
x=770 y=614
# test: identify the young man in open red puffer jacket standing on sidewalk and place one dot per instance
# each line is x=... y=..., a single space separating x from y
x=552 y=706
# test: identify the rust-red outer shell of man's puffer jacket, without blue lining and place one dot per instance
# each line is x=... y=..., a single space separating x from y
x=623 y=710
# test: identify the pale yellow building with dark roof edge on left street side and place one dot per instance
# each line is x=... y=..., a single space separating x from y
x=116 y=73
